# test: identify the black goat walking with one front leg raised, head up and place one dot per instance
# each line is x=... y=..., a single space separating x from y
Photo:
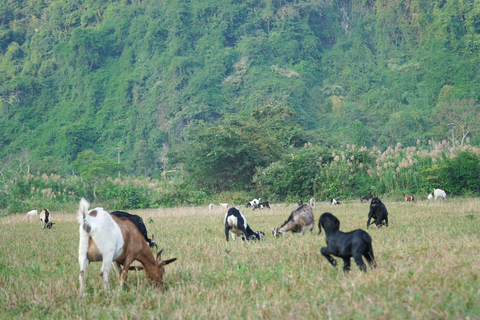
x=356 y=243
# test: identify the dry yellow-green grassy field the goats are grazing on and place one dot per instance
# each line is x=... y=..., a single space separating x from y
x=428 y=268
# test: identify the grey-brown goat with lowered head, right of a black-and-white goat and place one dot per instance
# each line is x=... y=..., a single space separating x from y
x=300 y=220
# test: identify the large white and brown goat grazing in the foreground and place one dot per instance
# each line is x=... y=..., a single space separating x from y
x=112 y=240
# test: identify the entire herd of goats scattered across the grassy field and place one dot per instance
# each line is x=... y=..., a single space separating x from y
x=118 y=238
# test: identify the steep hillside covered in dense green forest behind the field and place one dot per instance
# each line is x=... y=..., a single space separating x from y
x=154 y=84
